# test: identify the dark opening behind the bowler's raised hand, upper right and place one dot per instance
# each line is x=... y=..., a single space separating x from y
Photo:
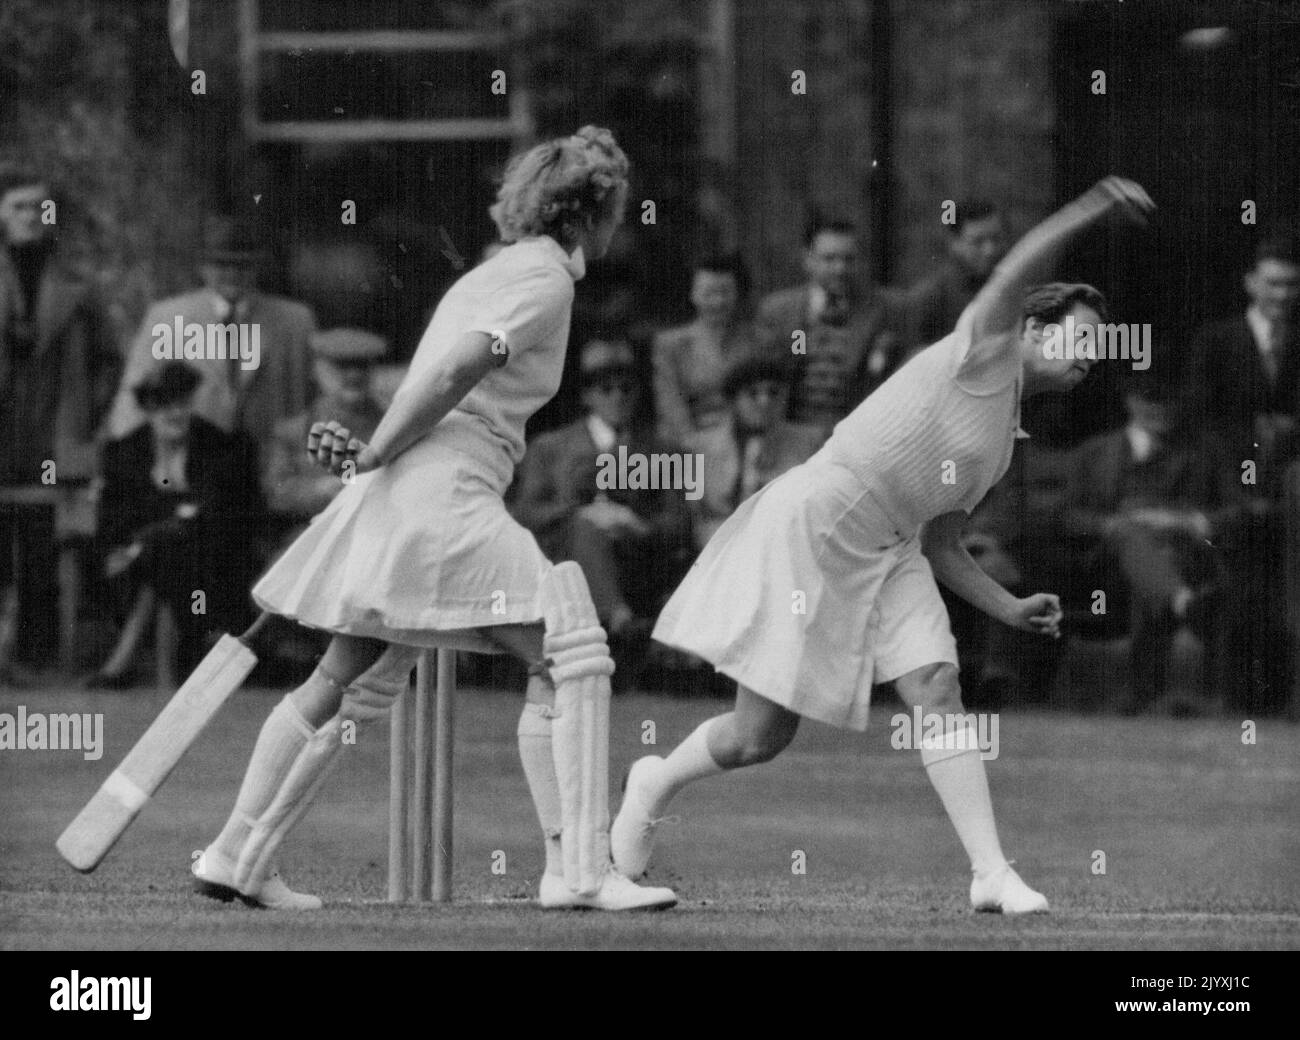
x=1203 y=109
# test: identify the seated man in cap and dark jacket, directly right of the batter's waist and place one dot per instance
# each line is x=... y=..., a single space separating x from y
x=632 y=545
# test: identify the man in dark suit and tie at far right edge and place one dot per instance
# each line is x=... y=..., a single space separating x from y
x=1246 y=379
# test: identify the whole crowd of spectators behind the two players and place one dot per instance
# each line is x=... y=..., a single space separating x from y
x=172 y=479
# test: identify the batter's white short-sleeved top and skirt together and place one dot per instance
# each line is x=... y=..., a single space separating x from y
x=423 y=548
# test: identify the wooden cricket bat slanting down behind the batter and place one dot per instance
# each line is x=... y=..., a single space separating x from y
x=127 y=791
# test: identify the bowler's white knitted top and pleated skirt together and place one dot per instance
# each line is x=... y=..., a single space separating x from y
x=816 y=590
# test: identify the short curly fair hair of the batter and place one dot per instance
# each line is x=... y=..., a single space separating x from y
x=558 y=187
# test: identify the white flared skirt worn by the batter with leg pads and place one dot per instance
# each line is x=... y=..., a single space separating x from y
x=421 y=552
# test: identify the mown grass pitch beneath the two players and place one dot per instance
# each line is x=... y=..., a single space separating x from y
x=1198 y=833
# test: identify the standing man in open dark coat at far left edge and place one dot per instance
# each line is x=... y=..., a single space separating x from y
x=58 y=375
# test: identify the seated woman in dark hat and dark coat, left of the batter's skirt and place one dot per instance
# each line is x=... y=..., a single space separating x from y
x=181 y=513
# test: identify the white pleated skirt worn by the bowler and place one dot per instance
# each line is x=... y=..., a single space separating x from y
x=809 y=596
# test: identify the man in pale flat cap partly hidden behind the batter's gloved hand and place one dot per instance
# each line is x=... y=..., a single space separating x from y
x=297 y=489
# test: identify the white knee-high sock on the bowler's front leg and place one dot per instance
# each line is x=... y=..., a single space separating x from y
x=957 y=772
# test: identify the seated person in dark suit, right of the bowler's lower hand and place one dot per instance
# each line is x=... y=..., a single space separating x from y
x=1146 y=505
